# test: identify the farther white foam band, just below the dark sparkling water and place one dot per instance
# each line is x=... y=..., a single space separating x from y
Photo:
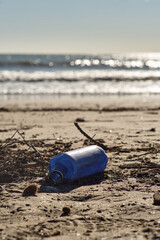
x=92 y=75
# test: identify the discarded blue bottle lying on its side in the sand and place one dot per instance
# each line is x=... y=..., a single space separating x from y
x=77 y=164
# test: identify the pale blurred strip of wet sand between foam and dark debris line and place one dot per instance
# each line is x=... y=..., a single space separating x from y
x=97 y=103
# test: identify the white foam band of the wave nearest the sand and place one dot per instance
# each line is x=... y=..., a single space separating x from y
x=81 y=87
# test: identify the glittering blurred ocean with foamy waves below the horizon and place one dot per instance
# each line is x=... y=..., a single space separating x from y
x=111 y=74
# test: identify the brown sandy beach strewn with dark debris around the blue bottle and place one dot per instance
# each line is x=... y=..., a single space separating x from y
x=116 y=204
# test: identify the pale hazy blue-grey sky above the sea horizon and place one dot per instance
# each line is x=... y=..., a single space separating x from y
x=79 y=26
